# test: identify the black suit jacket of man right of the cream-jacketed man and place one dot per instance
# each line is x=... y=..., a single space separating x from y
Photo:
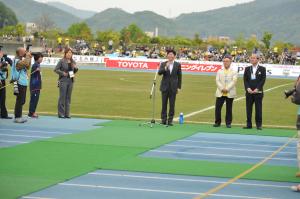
x=258 y=82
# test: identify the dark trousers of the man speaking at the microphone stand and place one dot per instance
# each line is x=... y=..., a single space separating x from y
x=168 y=96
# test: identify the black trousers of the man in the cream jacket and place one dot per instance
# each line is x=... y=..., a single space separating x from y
x=218 y=110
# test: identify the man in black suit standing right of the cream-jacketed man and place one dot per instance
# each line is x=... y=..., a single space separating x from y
x=254 y=80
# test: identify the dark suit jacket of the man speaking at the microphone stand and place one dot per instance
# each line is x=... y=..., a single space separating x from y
x=170 y=81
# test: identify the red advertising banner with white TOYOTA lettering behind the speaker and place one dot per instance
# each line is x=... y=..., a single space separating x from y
x=153 y=64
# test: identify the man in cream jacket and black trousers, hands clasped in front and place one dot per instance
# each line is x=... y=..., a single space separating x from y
x=226 y=80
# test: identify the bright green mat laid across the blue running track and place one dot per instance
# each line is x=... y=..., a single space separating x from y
x=30 y=167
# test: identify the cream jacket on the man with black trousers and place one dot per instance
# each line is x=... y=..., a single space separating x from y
x=228 y=83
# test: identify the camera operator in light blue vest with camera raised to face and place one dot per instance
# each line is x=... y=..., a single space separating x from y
x=20 y=67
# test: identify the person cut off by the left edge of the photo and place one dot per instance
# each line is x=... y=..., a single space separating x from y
x=4 y=62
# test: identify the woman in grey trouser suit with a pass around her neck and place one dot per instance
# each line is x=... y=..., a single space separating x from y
x=66 y=69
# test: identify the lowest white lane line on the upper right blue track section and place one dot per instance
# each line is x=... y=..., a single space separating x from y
x=221 y=155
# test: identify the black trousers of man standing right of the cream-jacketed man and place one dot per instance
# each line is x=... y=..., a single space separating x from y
x=257 y=100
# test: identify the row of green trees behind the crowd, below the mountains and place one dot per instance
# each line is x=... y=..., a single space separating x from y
x=132 y=34
